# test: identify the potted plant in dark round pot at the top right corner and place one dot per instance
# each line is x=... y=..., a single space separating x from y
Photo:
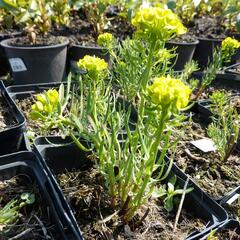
x=214 y=22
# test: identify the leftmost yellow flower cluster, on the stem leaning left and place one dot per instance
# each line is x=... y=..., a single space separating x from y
x=47 y=102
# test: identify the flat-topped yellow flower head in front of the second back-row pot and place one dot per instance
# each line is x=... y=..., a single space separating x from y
x=92 y=64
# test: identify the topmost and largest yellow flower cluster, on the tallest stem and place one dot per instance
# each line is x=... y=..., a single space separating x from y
x=157 y=23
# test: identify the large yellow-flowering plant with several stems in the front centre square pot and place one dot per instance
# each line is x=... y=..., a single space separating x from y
x=93 y=116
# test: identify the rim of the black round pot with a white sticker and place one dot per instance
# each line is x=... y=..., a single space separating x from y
x=5 y=44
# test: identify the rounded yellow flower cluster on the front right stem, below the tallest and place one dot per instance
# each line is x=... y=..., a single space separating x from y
x=169 y=92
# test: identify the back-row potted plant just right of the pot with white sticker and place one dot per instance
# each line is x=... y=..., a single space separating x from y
x=98 y=22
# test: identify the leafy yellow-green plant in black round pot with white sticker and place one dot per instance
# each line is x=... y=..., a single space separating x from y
x=27 y=54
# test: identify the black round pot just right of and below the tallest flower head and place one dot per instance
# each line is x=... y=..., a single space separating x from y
x=184 y=53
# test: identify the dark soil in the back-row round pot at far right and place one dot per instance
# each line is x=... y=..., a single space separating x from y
x=208 y=27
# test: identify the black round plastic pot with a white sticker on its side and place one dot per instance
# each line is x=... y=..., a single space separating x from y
x=36 y=64
